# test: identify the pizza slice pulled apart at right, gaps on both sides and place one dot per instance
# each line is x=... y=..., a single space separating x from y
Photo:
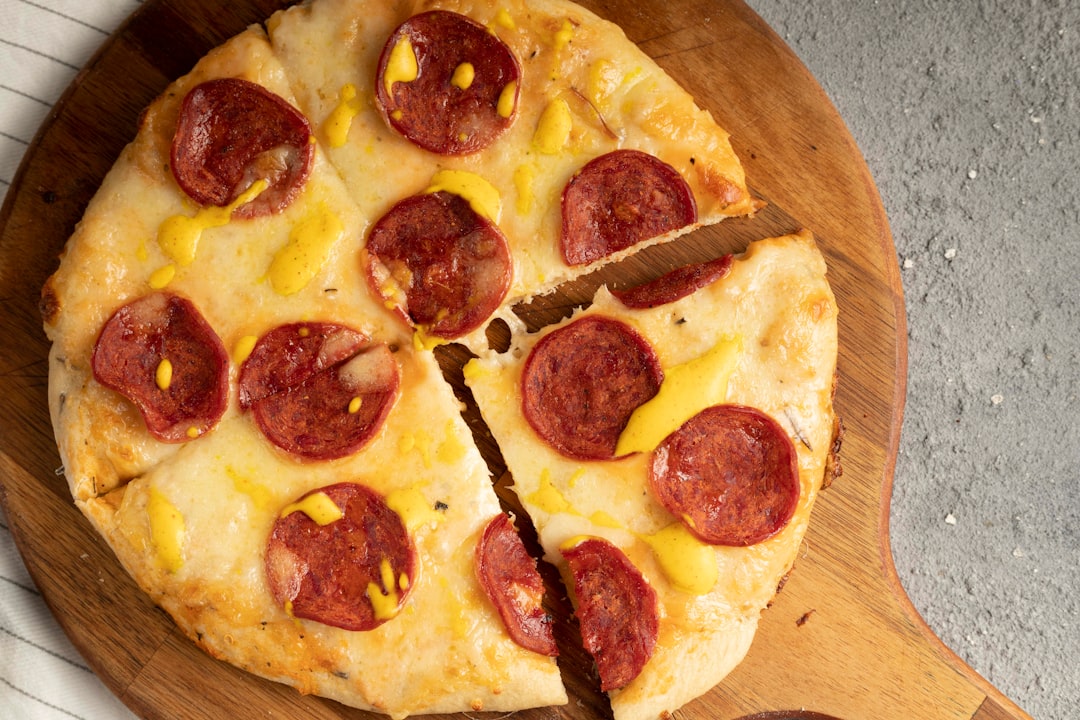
x=669 y=443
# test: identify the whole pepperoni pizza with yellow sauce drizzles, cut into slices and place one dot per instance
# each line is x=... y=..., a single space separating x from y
x=251 y=406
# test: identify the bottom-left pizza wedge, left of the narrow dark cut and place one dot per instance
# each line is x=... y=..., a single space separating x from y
x=387 y=579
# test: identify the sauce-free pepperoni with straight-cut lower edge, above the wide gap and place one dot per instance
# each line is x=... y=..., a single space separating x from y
x=619 y=200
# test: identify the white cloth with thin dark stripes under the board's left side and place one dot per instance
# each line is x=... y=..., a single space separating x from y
x=43 y=46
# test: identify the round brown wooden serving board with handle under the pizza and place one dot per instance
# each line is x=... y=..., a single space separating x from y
x=842 y=641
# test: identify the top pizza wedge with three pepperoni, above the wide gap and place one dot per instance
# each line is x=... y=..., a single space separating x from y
x=536 y=137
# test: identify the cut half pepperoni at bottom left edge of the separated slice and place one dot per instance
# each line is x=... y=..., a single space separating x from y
x=617 y=610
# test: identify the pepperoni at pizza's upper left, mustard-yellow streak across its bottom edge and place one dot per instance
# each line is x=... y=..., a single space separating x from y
x=233 y=132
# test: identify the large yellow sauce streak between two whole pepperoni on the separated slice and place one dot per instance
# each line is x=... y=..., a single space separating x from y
x=687 y=390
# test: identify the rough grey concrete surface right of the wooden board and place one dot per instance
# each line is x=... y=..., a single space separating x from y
x=967 y=113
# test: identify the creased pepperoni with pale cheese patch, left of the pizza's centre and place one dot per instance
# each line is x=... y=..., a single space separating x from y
x=319 y=391
